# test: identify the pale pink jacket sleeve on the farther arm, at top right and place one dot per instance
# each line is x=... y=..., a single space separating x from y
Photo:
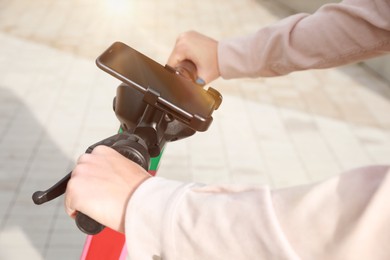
x=336 y=34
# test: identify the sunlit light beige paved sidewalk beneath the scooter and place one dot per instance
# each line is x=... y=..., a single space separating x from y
x=54 y=102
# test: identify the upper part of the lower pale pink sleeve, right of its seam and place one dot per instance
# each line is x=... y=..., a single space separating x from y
x=347 y=217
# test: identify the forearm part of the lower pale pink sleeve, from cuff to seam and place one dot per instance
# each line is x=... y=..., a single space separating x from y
x=193 y=221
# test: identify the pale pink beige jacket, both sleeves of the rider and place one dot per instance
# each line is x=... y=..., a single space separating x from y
x=344 y=218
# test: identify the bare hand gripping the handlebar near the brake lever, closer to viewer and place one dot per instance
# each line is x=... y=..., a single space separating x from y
x=101 y=185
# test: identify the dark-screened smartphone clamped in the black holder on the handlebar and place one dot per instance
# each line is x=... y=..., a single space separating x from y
x=162 y=87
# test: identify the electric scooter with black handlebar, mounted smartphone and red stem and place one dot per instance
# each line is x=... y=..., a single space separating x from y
x=155 y=104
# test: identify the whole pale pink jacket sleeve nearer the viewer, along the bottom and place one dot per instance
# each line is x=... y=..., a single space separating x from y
x=174 y=220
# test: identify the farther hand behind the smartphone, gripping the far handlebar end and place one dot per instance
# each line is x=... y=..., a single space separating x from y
x=199 y=49
